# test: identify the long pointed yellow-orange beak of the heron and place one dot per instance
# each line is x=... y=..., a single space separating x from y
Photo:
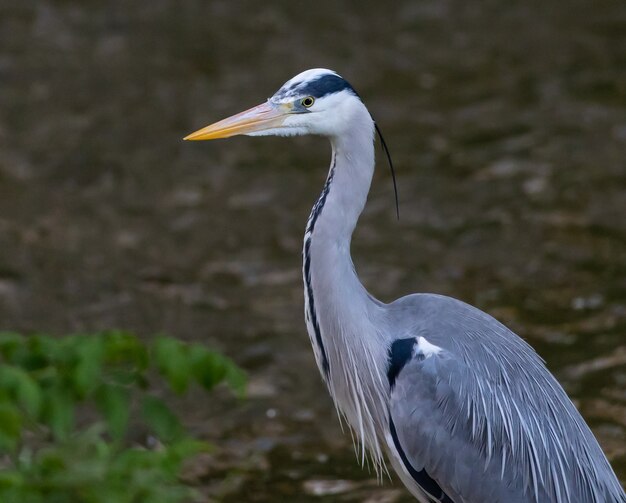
x=260 y=118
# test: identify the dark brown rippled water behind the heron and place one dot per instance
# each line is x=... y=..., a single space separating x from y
x=507 y=126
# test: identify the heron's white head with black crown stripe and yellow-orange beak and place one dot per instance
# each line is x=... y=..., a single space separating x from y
x=317 y=101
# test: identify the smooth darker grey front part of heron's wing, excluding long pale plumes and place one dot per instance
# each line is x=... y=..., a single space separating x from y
x=433 y=423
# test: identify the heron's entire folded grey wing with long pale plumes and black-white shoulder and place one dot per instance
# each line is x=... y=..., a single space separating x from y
x=466 y=436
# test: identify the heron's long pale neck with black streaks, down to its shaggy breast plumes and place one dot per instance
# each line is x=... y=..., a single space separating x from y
x=341 y=316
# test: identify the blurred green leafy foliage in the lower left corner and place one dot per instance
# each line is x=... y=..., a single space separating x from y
x=48 y=385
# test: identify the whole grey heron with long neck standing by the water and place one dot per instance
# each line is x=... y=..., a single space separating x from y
x=464 y=409
